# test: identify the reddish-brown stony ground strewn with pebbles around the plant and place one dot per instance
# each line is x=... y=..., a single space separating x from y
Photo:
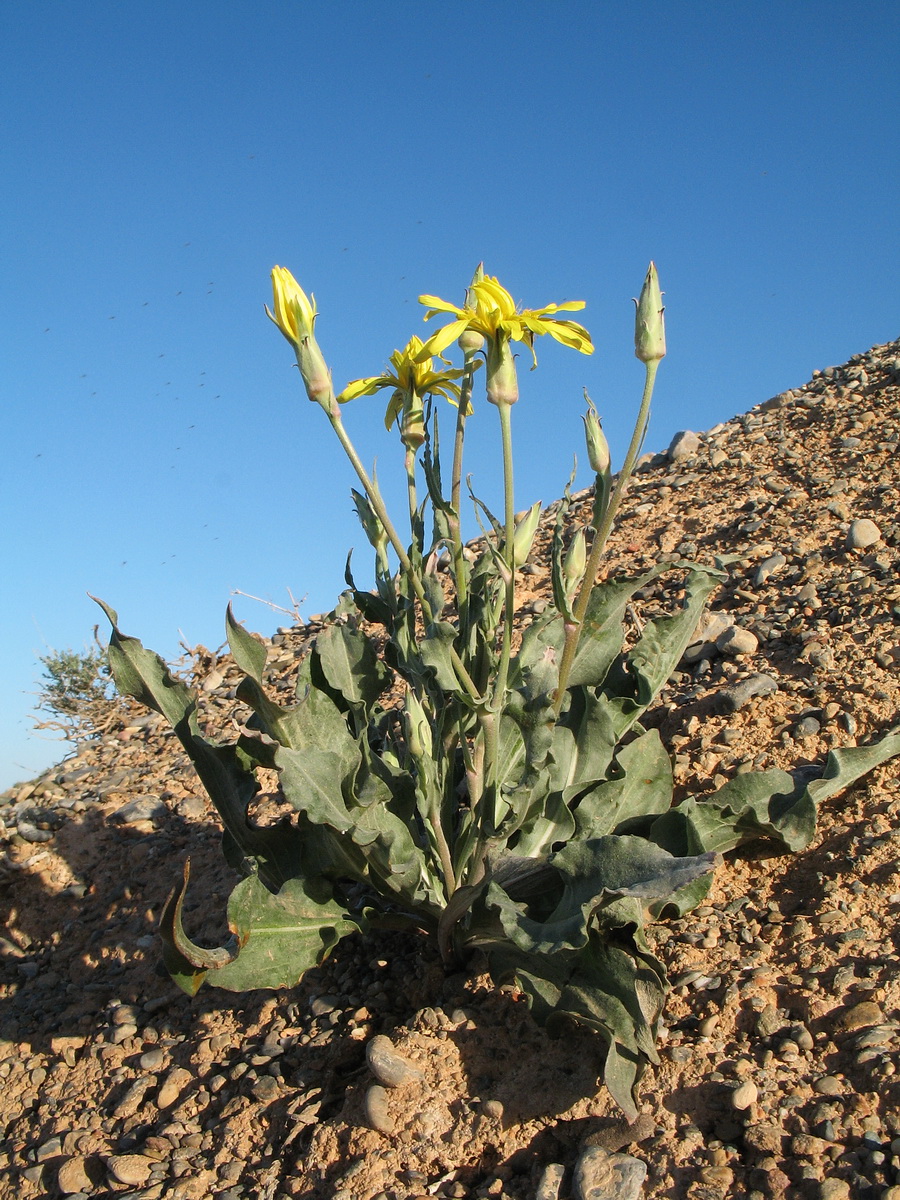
x=779 y=1061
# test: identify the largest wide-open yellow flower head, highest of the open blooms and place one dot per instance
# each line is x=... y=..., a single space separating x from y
x=491 y=311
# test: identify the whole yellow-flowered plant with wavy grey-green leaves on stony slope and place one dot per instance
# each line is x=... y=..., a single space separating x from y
x=496 y=794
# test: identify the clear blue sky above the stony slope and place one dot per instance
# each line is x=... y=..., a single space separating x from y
x=158 y=159
